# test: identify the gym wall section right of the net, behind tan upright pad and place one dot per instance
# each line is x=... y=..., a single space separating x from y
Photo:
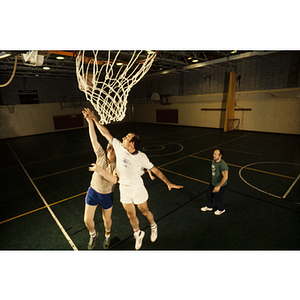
x=267 y=95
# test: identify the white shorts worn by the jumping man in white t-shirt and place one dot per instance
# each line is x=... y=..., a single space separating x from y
x=133 y=194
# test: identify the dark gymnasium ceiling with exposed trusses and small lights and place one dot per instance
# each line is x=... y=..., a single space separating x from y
x=166 y=62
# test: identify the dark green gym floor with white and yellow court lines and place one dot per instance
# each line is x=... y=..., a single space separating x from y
x=44 y=179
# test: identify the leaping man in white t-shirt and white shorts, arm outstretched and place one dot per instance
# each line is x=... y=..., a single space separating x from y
x=130 y=162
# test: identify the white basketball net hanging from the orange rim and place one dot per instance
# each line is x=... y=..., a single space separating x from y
x=107 y=82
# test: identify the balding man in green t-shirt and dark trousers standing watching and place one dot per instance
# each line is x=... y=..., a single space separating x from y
x=218 y=184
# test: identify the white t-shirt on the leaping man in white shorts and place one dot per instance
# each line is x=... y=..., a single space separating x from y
x=130 y=166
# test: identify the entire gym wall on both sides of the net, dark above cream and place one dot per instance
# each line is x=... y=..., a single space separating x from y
x=267 y=99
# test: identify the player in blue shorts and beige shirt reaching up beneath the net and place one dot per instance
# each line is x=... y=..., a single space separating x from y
x=101 y=187
